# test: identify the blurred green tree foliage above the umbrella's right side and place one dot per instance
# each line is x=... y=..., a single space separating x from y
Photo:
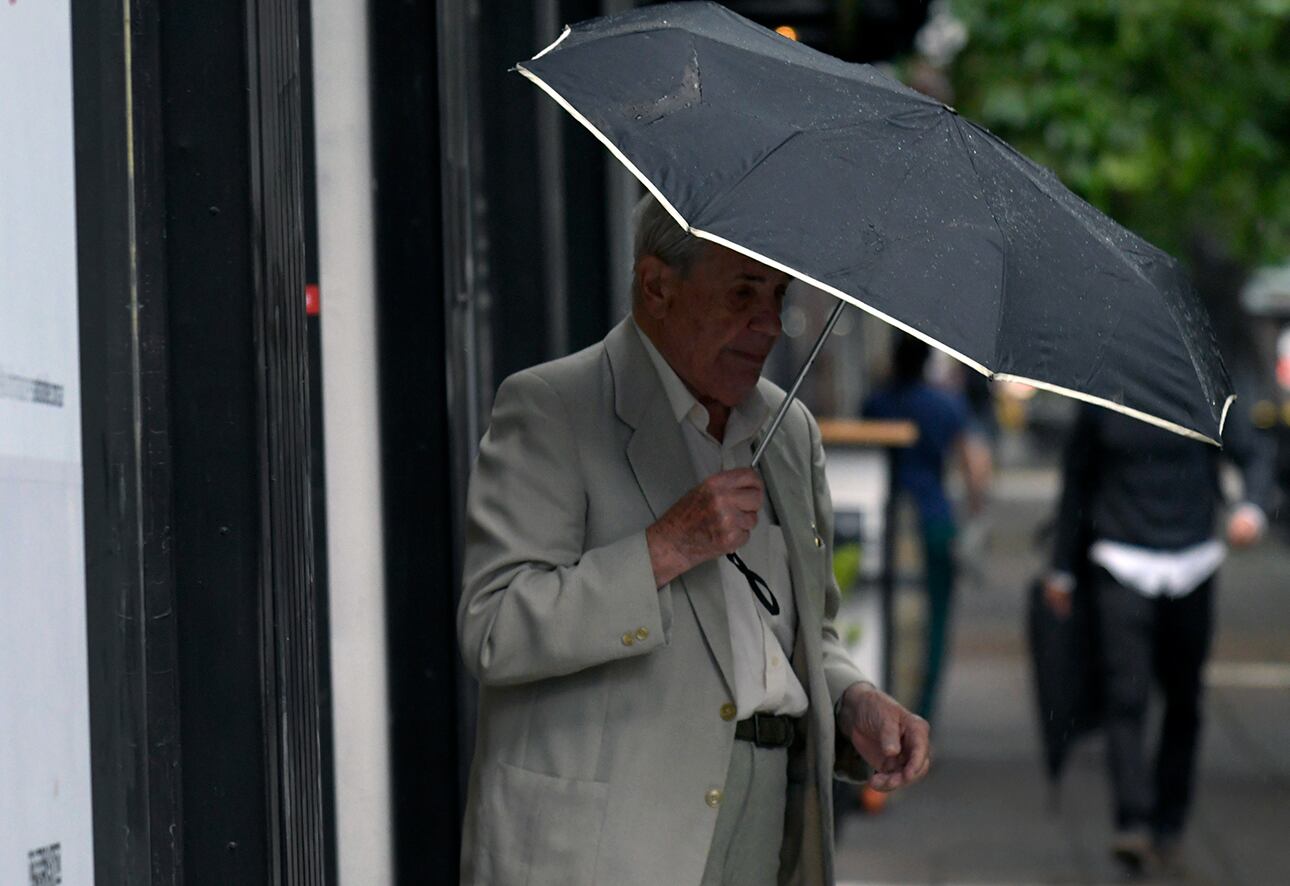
x=1173 y=117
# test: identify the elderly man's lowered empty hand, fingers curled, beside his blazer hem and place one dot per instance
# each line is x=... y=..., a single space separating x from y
x=895 y=742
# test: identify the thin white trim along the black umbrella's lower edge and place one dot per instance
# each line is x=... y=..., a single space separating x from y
x=838 y=293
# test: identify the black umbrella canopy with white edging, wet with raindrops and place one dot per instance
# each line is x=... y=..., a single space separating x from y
x=893 y=203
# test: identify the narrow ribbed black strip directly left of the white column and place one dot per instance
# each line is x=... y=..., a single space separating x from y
x=290 y=626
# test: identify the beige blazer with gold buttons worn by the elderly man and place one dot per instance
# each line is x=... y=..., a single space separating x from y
x=603 y=720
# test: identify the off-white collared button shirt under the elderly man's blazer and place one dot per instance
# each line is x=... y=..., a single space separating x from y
x=764 y=675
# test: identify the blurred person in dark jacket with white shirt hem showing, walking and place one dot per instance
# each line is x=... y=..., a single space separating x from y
x=1149 y=500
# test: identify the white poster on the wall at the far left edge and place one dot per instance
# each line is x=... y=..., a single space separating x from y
x=46 y=818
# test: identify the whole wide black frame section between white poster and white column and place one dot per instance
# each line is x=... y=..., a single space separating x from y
x=202 y=620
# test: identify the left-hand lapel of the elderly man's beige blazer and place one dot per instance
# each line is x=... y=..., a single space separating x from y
x=664 y=470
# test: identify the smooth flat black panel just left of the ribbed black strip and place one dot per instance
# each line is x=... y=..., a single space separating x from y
x=221 y=529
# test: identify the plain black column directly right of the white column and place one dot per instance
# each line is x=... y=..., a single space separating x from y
x=415 y=440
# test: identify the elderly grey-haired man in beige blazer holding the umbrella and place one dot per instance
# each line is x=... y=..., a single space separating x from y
x=643 y=718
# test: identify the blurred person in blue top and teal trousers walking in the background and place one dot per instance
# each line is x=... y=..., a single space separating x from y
x=945 y=429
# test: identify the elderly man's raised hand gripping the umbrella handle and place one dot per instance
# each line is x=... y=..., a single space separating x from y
x=713 y=519
